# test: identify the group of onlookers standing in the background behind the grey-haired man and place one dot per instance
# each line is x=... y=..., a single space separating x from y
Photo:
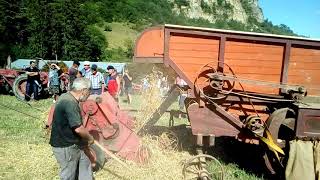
x=110 y=82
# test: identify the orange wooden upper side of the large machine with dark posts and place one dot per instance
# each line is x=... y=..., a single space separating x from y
x=287 y=60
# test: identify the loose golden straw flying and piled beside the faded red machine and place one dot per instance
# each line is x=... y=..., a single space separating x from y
x=164 y=162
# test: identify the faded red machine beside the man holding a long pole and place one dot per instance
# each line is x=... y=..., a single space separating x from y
x=111 y=127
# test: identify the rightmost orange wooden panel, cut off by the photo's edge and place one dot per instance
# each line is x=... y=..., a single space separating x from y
x=304 y=69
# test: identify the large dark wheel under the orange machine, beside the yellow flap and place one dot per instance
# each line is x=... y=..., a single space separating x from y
x=281 y=126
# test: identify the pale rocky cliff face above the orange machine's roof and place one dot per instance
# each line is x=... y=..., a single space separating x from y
x=212 y=10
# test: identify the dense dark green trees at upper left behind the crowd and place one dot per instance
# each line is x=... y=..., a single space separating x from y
x=43 y=28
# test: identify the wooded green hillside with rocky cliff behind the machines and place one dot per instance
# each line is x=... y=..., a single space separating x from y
x=105 y=30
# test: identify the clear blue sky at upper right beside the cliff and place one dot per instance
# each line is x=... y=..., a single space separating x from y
x=302 y=16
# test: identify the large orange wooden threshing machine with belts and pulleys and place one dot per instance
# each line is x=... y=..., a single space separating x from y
x=251 y=86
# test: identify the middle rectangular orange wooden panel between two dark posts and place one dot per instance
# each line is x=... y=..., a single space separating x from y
x=256 y=61
